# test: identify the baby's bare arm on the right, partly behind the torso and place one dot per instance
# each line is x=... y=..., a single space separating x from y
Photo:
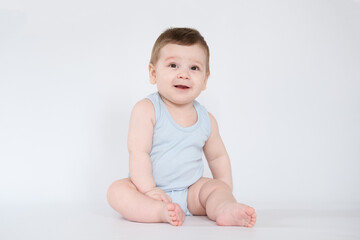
x=217 y=156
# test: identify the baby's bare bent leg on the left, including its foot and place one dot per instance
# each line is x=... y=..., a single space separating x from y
x=135 y=206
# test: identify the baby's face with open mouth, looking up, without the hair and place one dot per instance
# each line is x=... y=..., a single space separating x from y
x=180 y=73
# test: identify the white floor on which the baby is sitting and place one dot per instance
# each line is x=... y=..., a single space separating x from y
x=71 y=222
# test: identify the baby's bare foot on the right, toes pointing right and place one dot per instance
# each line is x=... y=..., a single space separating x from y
x=236 y=214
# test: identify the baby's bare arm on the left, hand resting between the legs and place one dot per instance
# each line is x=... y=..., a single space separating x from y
x=140 y=136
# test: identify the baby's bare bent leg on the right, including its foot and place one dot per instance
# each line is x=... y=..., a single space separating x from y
x=216 y=199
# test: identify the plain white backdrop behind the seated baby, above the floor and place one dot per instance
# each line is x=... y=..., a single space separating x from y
x=284 y=87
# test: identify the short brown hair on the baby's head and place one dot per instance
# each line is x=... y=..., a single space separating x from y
x=180 y=36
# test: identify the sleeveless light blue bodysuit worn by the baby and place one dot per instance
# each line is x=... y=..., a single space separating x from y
x=177 y=151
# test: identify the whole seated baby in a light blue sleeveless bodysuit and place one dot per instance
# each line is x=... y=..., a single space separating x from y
x=168 y=134
